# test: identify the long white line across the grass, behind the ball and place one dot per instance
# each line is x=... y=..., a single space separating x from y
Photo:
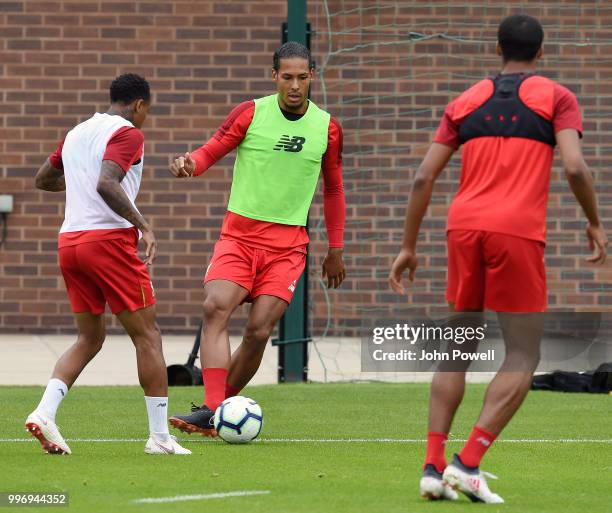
x=338 y=440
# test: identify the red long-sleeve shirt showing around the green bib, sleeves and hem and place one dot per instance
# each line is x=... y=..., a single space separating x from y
x=275 y=236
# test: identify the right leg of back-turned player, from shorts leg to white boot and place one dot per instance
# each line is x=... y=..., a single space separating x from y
x=516 y=282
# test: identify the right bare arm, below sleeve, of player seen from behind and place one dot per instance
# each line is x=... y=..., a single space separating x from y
x=581 y=182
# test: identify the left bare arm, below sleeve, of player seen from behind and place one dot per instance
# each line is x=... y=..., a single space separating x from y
x=435 y=160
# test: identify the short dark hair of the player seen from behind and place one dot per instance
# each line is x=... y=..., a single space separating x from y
x=520 y=37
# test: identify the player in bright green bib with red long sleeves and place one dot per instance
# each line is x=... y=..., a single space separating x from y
x=284 y=141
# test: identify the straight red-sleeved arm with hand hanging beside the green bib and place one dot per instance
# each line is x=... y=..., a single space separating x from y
x=334 y=207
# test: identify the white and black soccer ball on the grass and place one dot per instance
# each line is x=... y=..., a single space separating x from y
x=238 y=420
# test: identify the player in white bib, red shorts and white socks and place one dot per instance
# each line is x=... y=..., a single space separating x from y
x=99 y=164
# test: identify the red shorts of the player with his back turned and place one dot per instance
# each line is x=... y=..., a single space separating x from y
x=495 y=271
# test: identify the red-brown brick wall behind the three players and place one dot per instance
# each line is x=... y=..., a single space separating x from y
x=57 y=59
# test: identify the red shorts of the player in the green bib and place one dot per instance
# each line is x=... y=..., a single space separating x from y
x=273 y=273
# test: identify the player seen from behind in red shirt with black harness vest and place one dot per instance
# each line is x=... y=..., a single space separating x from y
x=508 y=126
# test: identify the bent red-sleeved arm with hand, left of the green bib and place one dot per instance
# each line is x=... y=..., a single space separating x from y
x=229 y=135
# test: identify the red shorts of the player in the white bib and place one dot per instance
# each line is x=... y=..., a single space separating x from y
x=106 y=271
